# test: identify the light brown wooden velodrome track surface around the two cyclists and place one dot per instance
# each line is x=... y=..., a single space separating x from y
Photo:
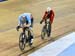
x=9 y=11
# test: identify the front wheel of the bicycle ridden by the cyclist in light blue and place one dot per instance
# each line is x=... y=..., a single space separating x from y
x=22 y=41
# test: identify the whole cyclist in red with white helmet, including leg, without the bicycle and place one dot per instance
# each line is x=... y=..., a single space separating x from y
x=48 y=17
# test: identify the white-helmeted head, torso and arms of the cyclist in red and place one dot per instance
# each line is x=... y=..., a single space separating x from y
x=49 y=14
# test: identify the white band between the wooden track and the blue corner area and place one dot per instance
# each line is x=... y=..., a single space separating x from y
x=55 y=48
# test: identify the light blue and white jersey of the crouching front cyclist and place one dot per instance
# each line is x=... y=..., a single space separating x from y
x=27 y=18
